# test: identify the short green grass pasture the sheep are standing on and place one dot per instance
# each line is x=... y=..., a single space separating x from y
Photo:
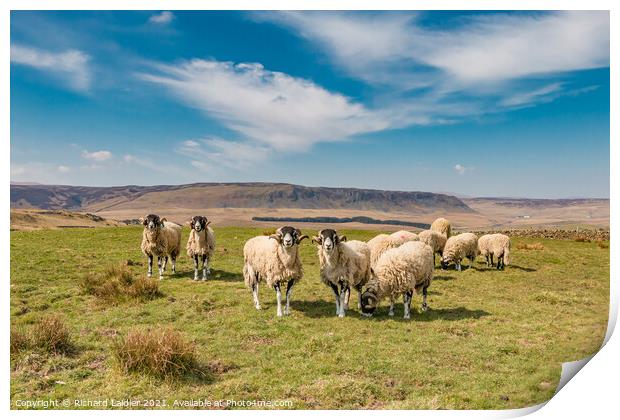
x=490 y=339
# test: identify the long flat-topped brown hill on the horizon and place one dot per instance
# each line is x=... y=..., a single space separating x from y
x=234 y=195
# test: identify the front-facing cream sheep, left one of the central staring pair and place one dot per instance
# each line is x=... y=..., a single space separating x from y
x=274 y=259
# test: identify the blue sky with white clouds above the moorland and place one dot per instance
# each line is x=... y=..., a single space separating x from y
x=510 y=104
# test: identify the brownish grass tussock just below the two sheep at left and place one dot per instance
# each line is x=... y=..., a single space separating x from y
x=116 y=284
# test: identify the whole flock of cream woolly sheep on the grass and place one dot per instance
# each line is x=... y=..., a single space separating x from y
x=388 y=266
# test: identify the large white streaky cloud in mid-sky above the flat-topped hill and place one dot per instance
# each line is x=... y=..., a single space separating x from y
x=267 y=108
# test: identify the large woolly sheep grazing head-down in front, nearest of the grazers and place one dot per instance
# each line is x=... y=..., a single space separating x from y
x=405 y=269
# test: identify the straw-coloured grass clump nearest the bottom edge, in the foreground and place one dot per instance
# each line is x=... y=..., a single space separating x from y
x=163 y=353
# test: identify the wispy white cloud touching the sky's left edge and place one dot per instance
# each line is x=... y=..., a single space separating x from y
x=71 y=66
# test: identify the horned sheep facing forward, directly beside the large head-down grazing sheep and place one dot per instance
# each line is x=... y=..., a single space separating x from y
x=344 y=264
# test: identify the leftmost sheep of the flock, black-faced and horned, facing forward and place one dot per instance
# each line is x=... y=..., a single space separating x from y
x=161 y=239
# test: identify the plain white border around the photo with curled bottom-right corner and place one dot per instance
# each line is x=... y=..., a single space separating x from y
x=593 y=393
